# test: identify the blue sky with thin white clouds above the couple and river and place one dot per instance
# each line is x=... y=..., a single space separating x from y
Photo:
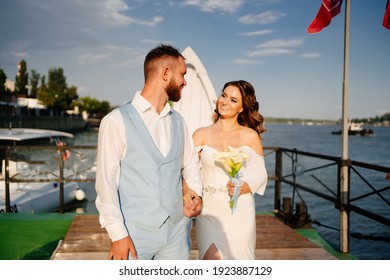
x=101 y=45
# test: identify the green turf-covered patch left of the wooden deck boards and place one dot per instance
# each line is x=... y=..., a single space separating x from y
x=25 y=236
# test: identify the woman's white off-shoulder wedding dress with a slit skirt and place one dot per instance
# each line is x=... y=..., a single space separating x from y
x=234 y=235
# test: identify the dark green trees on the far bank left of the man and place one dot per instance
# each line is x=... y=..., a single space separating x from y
x=53 y=92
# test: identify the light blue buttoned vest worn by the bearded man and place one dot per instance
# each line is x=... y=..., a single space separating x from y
x=150 y=187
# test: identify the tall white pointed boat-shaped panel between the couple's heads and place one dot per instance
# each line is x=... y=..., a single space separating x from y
x=198 y=99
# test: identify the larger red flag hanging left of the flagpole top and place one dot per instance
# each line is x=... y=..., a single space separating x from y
x=328 y=10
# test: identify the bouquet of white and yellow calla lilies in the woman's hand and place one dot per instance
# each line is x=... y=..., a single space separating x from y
x=232 y=160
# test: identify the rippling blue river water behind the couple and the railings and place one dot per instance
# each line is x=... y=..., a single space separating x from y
x=317 y=139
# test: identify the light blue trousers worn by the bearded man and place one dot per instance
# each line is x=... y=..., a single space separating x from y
x=171 y=241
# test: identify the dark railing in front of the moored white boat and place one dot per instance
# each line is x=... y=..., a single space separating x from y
x=46 y=164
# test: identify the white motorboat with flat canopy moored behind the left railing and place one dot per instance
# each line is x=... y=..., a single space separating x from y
x=36 y=196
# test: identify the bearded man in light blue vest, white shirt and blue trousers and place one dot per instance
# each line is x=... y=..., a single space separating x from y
x=144 y=151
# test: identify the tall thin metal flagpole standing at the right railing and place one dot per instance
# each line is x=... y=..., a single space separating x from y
x=344 y=189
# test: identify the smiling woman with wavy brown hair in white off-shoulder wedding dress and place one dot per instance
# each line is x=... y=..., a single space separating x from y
x=221 y=233
